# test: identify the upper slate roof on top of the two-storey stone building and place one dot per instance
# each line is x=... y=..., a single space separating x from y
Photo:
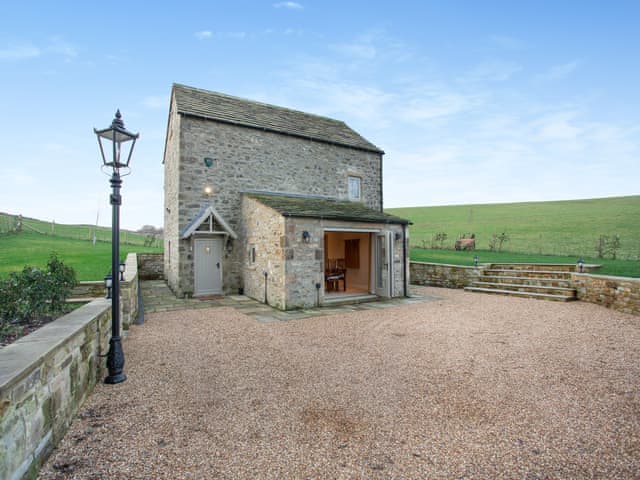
x=239 y=111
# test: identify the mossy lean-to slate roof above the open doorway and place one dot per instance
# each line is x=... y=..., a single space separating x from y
x=313 y=207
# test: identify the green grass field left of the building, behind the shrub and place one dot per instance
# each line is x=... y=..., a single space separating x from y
x=91 y=262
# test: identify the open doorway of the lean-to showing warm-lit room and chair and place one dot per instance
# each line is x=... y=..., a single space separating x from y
x=347 y=260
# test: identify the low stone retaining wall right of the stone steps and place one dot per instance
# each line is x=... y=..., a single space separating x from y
x=618 y=293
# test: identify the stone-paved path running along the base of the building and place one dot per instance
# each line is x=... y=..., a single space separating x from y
x=157 y=297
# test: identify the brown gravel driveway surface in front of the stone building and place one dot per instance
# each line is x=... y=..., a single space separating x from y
x=469 y=386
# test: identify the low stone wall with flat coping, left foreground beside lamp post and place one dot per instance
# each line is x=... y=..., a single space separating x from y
x=44 y=379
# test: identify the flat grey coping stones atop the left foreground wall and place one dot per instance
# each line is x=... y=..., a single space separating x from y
x=23 y=356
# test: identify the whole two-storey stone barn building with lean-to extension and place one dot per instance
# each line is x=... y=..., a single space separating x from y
x=281 y=205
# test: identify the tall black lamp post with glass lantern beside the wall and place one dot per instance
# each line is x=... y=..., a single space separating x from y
x=120 y=138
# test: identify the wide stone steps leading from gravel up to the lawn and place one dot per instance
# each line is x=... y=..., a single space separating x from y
x=542 y=281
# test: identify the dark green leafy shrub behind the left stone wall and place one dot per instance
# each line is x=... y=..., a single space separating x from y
x=35 y=293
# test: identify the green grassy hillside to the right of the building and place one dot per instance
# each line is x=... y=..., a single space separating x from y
x=569 y=227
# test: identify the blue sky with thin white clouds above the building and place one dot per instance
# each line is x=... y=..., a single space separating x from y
x=472 y=101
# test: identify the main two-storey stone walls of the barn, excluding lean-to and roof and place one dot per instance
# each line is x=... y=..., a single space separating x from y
x=247 y=159
